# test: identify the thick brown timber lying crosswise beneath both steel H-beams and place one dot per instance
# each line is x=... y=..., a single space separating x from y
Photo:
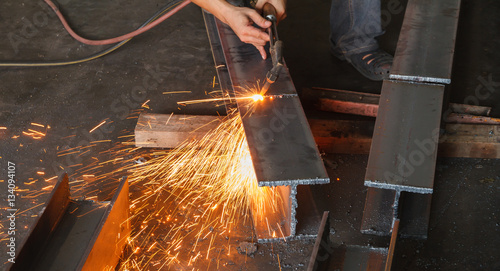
x=331 y=136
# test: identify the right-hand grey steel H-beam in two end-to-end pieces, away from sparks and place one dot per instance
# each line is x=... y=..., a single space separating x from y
x=401 y=165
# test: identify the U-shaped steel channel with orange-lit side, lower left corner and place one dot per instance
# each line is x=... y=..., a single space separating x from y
x=77 y=234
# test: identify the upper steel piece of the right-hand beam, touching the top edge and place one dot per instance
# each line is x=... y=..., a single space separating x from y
x=426 y=42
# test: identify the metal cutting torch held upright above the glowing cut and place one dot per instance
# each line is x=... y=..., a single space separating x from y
x=276 y=48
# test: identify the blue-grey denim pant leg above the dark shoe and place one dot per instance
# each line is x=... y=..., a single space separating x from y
x=354 y=25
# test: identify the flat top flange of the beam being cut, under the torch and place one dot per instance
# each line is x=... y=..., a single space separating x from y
x=281 y=143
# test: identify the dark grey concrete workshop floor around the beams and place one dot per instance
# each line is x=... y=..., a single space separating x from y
x=175 y=56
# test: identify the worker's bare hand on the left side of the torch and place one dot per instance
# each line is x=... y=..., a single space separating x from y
x=241 y=20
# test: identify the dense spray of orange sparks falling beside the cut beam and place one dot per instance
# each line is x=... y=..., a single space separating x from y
x=199 y=191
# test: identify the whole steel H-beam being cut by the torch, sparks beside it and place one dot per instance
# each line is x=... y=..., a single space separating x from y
x=283 y=150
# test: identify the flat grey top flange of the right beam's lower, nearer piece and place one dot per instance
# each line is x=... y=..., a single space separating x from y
x=404 y=145
